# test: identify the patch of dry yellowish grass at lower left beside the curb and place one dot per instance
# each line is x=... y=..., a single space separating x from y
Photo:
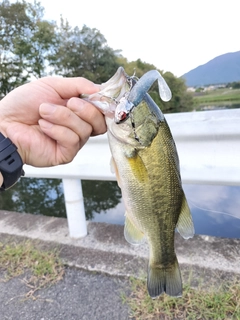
x=19 y=258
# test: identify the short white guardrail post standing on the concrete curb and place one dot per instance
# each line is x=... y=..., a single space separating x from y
x=75 y=208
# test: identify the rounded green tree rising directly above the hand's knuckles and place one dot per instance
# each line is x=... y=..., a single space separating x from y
x=83 y=52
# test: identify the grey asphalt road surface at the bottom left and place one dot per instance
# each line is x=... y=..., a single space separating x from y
x=80 y=295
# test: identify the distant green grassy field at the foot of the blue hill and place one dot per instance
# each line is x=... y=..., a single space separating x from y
x=218 y=96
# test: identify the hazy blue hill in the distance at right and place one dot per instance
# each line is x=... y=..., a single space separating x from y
x=222 y=69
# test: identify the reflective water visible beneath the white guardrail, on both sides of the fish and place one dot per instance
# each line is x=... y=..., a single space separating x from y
x=215 y=209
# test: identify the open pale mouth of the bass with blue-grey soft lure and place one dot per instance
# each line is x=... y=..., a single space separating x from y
x=121 y=93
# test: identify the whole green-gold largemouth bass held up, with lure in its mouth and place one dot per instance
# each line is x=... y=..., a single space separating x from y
x=145 y=160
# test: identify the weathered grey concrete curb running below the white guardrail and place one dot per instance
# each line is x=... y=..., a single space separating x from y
x=105 y=249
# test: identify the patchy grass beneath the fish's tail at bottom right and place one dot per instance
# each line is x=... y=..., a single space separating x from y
x=221 y=303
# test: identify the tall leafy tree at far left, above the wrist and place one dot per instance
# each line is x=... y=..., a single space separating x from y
x=26 y=41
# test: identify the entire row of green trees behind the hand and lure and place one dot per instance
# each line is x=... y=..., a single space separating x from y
x=33 y=47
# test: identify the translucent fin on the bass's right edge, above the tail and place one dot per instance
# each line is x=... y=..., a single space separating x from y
x=185 y=224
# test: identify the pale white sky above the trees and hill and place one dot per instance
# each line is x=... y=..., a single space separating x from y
x=173 y=35
